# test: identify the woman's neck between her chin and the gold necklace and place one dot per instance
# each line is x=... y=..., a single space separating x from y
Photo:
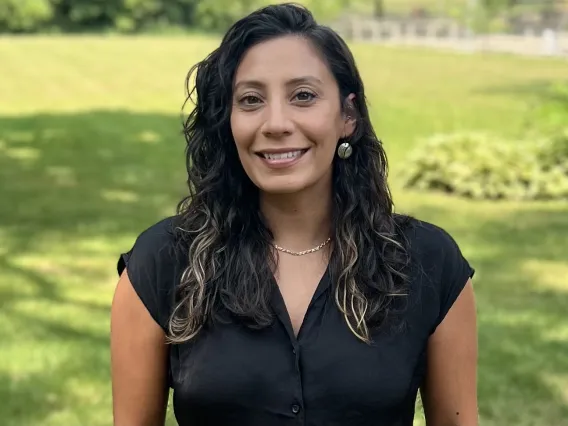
x=298 y=221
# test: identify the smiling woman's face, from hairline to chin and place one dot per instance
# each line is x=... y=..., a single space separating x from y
x=286 y=116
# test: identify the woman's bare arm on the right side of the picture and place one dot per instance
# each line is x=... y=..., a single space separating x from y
x=449 y=394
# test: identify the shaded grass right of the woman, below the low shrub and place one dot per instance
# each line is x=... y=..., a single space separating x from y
x=522 y=310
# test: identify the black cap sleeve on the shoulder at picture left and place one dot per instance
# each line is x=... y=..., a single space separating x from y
x=153 y=265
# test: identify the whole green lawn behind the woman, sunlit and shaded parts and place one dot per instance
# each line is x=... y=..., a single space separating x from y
x=91 y=154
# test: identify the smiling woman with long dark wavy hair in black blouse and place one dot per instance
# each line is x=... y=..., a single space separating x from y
x=286 y=291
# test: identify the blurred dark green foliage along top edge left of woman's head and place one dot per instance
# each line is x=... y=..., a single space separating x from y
x=137 y=15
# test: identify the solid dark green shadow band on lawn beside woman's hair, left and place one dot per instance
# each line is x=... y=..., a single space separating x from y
x=89 y=174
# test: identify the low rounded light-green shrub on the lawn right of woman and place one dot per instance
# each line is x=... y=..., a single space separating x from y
x=481 y=166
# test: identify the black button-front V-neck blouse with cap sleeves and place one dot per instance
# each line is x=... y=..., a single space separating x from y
x=232 y=375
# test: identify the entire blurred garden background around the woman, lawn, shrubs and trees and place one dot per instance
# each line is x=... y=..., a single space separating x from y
x=469 y=96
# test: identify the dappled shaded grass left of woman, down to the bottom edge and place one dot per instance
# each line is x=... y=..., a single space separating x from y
x=73 y=187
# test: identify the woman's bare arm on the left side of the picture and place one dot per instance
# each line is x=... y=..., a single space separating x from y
x=138 y=360
